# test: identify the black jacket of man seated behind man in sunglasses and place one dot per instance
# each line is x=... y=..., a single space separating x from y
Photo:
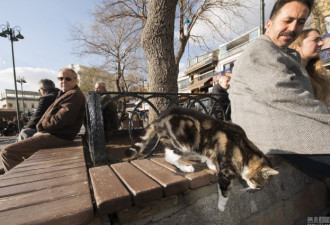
x=43 y=104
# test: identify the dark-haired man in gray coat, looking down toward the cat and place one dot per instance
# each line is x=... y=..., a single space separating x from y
x=272 y=97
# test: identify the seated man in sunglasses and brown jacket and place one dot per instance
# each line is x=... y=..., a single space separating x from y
x=58 y=126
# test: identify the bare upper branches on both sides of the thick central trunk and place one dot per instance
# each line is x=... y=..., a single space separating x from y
x=215 y=14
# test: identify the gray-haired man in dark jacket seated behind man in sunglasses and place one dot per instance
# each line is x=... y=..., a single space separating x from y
x=48 y=95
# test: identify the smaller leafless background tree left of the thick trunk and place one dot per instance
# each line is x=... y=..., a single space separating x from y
x=116 y=41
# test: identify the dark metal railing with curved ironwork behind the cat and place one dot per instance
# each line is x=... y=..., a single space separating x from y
x=95 y=137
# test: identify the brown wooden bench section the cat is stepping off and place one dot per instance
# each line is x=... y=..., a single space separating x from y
x=122 y=185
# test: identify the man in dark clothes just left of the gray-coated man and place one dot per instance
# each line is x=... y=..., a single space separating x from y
x=222 y=106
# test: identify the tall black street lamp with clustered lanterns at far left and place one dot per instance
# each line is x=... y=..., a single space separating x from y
x=10 y=33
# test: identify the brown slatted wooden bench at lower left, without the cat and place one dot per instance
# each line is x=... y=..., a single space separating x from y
x=50 y=187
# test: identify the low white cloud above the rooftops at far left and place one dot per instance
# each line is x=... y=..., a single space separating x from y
x=31 y=76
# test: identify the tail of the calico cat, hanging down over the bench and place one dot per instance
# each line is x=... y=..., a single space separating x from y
x=139 y=147
